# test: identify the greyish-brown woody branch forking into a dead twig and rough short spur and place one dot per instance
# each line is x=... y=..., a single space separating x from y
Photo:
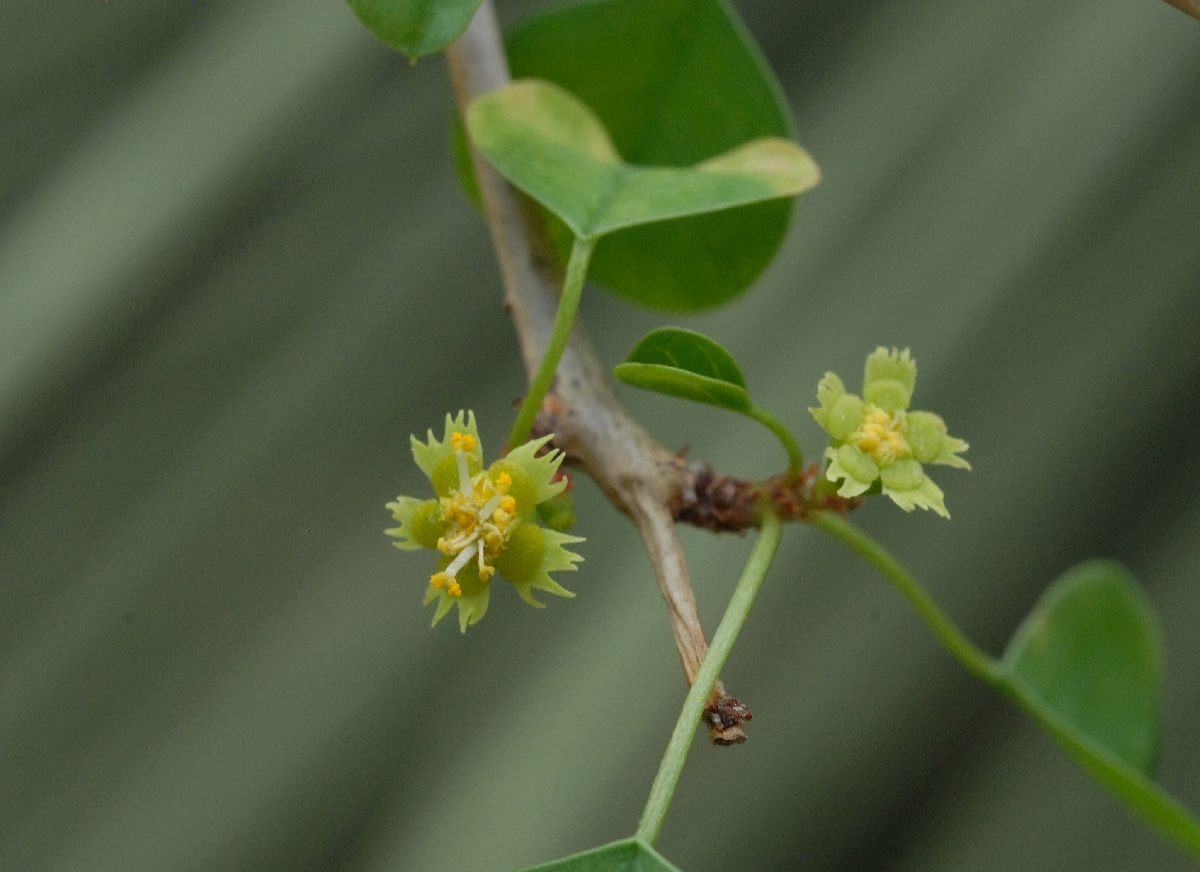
x=643 y=478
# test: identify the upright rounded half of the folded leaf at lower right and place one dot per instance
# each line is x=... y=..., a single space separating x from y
x=1090 y=652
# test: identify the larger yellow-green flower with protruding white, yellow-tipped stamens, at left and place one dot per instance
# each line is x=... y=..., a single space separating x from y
x=483 y=522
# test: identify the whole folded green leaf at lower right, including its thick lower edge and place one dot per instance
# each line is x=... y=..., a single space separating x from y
x=1088 y=666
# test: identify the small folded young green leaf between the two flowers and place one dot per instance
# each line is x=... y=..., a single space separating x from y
x=689 y=365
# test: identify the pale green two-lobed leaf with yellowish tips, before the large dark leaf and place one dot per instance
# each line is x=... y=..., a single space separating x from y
x=554 y=148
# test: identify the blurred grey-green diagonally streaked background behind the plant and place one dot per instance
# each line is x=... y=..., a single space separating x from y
x=237 y=273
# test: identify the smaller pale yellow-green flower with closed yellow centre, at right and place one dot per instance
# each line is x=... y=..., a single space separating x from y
x=877 y=438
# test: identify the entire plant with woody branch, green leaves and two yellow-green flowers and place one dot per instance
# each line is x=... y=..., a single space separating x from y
x=677 y=207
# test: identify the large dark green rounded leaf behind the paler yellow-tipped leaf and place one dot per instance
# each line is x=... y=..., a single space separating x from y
x=675 y=82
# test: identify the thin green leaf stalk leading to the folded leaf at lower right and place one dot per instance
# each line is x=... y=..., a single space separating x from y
x=974 y=659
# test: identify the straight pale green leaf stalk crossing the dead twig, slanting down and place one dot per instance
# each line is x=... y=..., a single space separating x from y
x=745 y=594
